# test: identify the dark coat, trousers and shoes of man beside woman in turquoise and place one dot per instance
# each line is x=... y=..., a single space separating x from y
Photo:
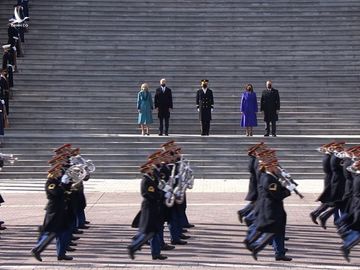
x=163 y=101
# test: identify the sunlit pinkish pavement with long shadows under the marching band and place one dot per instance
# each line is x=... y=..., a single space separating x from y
x=216 y=241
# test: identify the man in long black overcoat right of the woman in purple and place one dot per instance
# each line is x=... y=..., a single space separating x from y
x=270 y=105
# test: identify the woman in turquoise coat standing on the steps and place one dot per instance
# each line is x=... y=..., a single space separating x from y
x=145 y=107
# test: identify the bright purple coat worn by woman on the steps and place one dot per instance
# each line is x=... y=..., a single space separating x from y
x=248 y=107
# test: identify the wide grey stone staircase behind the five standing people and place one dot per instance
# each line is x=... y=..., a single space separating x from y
x=85 y=61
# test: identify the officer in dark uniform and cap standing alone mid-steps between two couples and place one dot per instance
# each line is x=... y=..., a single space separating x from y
x=205 y=105
